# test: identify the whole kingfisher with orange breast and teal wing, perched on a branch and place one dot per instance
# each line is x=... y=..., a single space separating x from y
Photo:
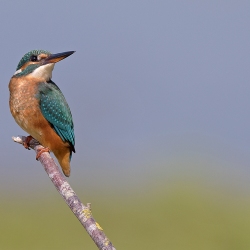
x=40 y=108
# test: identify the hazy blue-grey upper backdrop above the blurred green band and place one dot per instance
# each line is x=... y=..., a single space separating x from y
x=150 y=82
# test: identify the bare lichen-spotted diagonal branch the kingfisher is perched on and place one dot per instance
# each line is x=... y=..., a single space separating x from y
x=82 y=212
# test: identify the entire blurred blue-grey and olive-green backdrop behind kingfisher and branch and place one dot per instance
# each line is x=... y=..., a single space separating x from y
x=159 y=92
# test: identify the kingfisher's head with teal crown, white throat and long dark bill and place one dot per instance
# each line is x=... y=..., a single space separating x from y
x=39 y=63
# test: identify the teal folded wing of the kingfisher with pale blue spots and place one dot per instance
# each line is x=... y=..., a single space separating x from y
x=55 y=109
